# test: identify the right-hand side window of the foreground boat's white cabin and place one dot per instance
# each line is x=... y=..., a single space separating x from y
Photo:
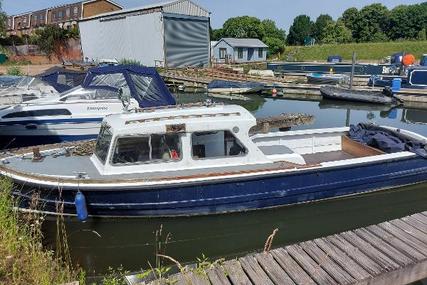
x=216 y=144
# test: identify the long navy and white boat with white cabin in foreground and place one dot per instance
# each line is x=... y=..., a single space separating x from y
x=199 y=160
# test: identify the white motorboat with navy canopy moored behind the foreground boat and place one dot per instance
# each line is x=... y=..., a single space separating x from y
x=77 y=114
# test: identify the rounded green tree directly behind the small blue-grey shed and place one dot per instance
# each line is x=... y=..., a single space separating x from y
x=243 y=27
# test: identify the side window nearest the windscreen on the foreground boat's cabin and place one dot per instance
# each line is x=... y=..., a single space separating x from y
x=145 y=149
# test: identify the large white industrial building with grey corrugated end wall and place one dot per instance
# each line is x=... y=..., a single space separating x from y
x=172 y=34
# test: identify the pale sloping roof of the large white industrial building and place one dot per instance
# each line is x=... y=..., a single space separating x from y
x=161 y=5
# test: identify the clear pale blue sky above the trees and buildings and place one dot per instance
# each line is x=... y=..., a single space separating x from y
x=281 y=11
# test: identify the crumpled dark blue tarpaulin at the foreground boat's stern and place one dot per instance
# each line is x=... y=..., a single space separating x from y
x=386 y=140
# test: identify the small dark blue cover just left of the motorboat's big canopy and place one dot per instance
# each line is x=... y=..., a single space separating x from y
x=62 y=79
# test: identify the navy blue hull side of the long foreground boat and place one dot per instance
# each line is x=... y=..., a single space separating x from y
x=230 y=195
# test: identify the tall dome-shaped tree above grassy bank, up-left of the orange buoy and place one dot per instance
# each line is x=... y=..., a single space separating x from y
x=371 y=23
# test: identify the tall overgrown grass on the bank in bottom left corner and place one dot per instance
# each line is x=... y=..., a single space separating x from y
x=23 y=260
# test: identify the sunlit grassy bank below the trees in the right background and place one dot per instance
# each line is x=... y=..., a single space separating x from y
x=365 y=51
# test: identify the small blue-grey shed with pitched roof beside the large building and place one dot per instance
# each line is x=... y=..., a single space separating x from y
x=232 y=50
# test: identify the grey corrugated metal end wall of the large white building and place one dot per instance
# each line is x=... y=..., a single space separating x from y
x=186 y=40
